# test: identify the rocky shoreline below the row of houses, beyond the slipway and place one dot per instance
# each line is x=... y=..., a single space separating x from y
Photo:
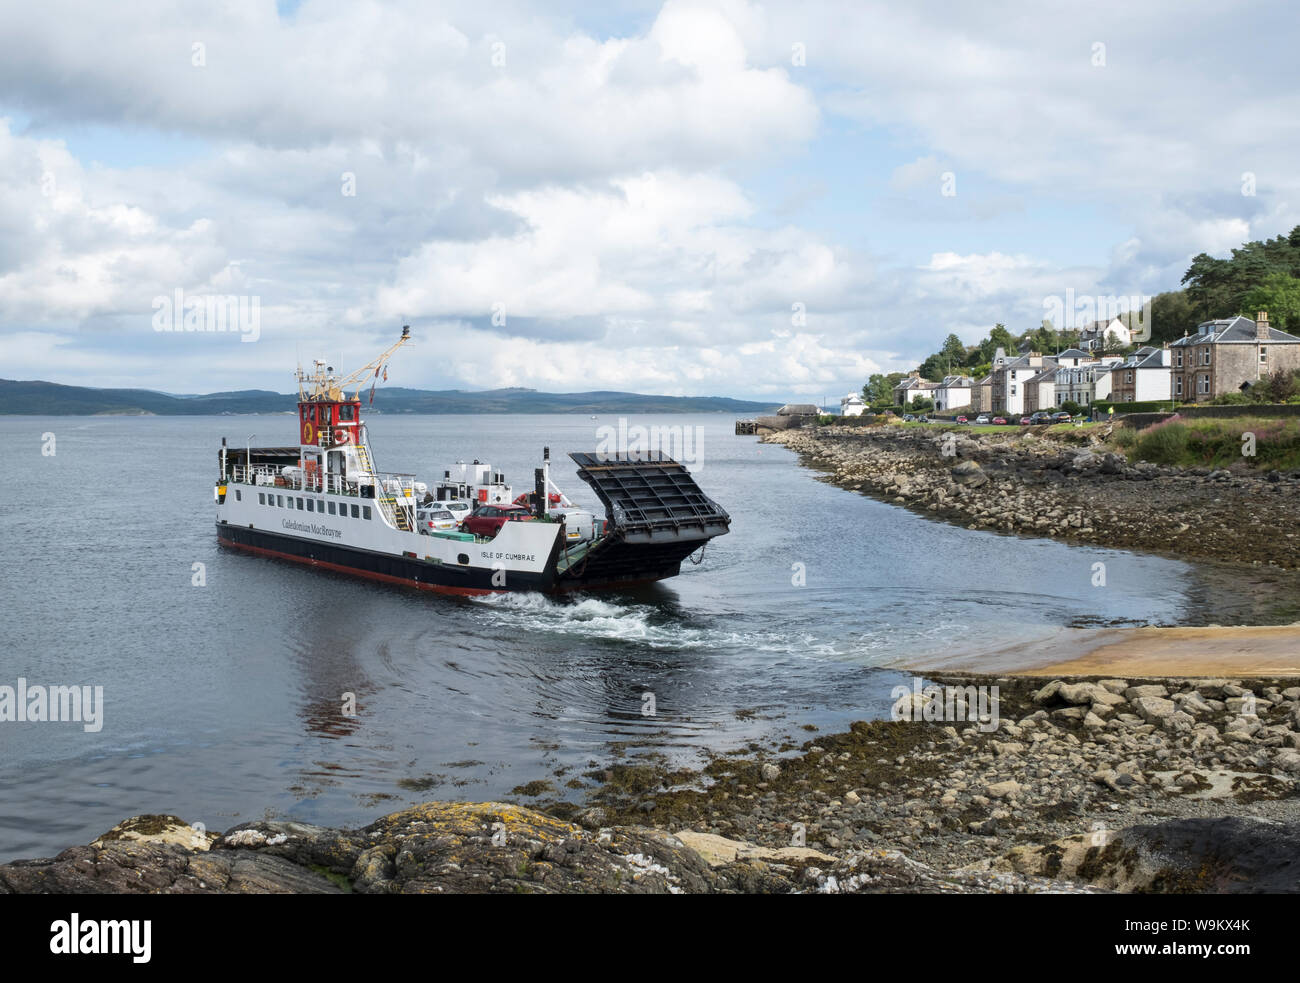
x=1067 y=484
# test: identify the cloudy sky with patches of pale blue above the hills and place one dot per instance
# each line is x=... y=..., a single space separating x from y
x=723 y=198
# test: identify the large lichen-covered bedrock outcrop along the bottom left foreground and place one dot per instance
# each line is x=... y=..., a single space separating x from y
x=432 y=848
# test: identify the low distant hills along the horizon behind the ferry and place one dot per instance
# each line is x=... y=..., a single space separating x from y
x=54 y=400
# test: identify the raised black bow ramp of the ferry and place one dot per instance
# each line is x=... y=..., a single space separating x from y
x=657 y=514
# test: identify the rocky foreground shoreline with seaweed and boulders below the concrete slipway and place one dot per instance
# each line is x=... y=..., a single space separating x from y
x=1112 y=785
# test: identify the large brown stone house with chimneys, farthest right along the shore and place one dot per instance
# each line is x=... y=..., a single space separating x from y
x=1229 y=356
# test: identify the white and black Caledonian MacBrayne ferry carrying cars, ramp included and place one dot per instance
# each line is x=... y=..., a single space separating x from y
x=323 y=503
